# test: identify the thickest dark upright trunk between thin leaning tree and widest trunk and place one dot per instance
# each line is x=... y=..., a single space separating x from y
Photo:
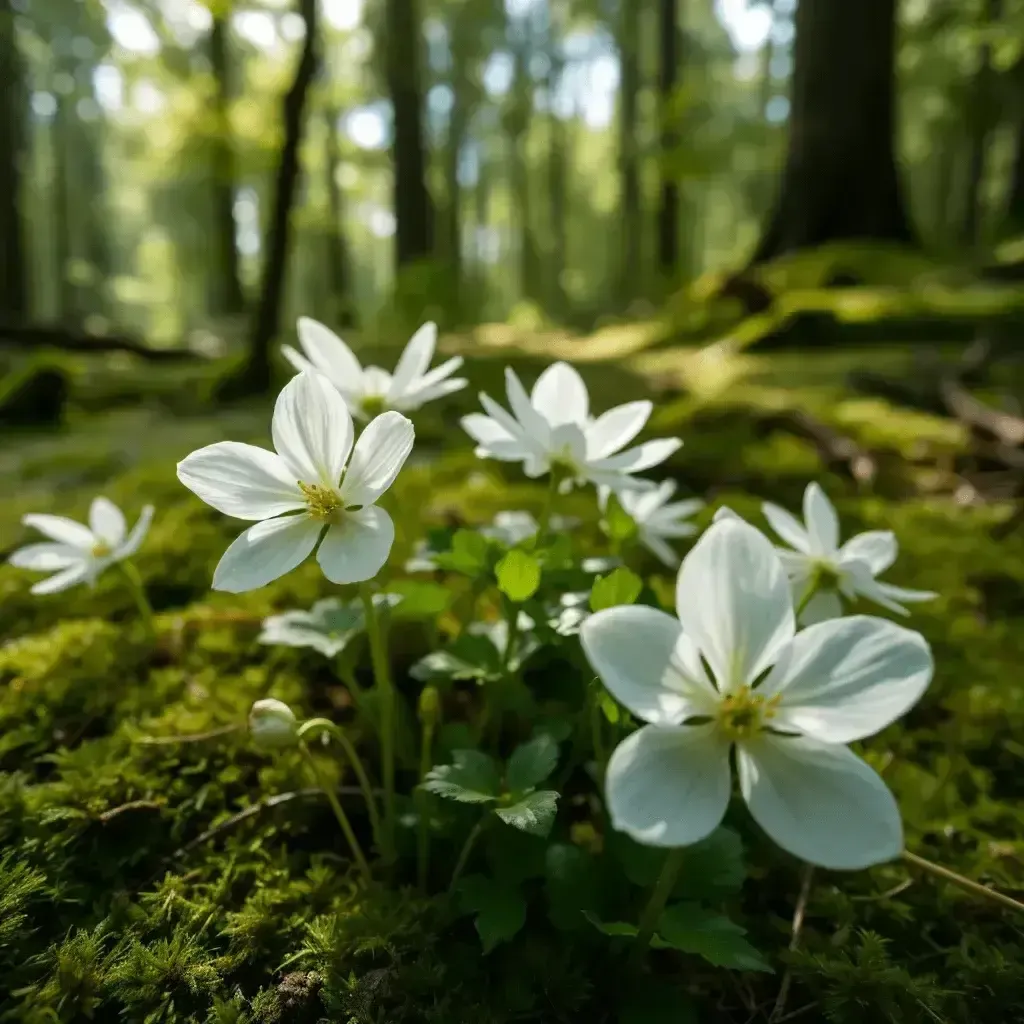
x=413 y=240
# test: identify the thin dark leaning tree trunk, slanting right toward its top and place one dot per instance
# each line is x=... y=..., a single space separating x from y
x=267 y=321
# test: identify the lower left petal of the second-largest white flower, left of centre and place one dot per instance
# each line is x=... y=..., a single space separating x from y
x=266 y=552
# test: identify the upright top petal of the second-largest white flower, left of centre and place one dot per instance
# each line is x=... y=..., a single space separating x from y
x=313 y=430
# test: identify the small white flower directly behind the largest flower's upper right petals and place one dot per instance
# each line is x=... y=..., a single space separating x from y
x=818 y=560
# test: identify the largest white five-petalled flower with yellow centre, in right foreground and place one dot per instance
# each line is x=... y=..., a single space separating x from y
x=696 y=681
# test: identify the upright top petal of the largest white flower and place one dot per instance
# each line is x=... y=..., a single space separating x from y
x=734 y=601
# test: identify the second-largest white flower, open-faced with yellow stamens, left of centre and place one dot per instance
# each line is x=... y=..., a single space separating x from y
x=308 y=476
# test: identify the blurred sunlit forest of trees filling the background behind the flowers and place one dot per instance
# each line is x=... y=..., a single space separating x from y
x=174 y=169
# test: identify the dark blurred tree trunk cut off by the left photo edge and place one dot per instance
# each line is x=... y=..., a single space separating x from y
x=15 y=298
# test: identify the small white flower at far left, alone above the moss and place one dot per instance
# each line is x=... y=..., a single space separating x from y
x=76 y=553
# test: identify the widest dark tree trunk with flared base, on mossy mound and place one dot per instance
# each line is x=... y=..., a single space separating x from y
x=840 y=182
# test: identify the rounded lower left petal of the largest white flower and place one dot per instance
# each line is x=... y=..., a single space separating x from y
x=669 y=786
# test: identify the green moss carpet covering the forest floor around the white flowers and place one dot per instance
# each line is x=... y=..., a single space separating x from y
x=116 y=906
